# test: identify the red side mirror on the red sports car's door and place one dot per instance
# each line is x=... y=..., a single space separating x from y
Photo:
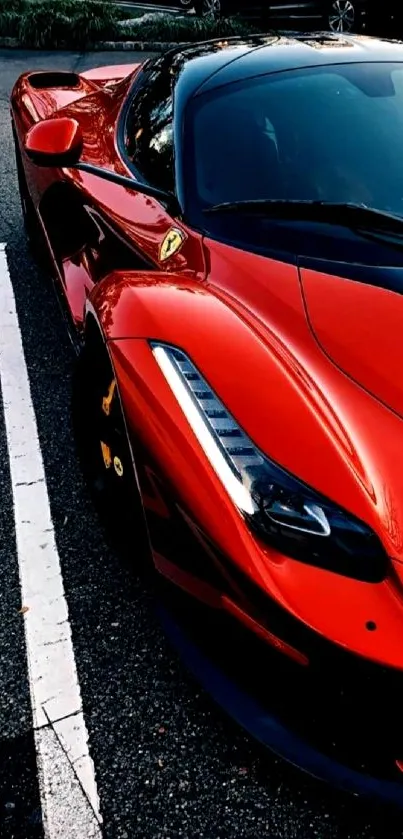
x=54 y=142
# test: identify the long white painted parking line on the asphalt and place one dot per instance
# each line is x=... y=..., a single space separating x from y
x=69 y=796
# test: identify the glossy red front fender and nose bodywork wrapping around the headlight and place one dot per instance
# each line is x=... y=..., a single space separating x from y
x=314 y=422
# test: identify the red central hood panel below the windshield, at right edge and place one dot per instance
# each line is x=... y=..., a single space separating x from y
x=359 y=325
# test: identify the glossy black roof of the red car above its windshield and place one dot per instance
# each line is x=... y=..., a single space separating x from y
x=211 y=64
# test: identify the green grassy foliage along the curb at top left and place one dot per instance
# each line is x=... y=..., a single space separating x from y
x=53 y=24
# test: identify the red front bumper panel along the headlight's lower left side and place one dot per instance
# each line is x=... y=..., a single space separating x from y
x=198 y=535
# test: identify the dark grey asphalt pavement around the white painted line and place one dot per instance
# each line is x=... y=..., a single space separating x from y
x=167 y=763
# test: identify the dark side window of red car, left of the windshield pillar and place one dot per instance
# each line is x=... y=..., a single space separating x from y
x=149 y=127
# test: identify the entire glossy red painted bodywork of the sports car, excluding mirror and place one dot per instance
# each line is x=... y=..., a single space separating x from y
x=242 y=319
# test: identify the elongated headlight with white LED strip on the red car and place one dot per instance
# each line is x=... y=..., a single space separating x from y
x=290 y=516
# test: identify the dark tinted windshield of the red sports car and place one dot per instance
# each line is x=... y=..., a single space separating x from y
x=330 y=133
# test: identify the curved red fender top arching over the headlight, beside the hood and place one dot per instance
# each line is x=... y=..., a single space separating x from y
x=315 y=423
